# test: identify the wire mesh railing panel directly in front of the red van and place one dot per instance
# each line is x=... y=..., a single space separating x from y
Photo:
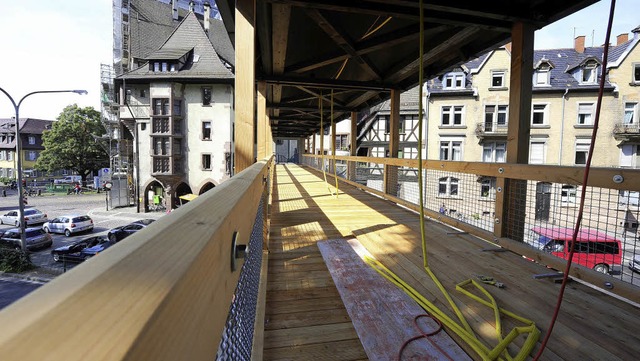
x=546 y=215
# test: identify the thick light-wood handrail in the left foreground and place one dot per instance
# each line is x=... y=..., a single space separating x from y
x=161 y=294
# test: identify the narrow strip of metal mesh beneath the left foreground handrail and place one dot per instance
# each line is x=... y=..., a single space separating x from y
x=237 y=337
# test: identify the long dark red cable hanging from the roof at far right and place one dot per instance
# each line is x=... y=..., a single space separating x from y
x=565 y=277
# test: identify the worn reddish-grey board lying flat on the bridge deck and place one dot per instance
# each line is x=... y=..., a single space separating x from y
x=382 y=314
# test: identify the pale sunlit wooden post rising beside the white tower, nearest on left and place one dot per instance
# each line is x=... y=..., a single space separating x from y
x=244 y=90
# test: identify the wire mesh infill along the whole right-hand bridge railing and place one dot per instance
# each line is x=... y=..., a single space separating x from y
x=460 y=198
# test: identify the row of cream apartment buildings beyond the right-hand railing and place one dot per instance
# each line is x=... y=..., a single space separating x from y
x=466 y=119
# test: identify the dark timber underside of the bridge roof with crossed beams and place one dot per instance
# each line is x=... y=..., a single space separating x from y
x=362 y=49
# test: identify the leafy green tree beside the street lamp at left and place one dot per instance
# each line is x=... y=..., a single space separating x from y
x=71 y=143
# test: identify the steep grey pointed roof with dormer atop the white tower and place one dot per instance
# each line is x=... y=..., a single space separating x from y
x=204 y=63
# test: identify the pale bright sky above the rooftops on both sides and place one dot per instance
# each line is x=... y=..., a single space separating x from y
x=60 y=44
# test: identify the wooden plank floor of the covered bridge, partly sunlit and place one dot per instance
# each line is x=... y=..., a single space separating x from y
x=306 y=320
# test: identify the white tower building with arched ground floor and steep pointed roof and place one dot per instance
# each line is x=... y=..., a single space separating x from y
x=178 y=108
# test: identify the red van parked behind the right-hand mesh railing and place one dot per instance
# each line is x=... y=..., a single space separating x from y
x=593 y=249
